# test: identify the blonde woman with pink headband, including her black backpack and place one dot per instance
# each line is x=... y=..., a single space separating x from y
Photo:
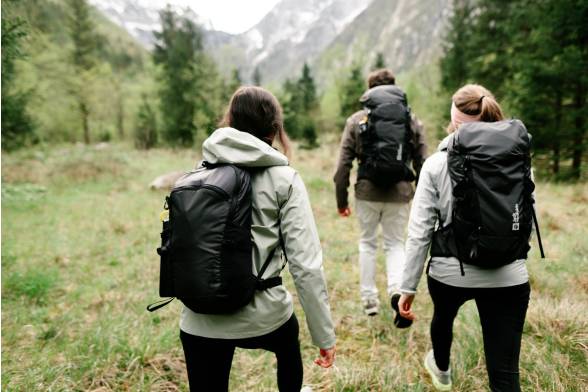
x=487 y=267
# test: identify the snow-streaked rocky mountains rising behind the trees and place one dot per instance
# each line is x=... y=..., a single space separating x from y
x=330 y=35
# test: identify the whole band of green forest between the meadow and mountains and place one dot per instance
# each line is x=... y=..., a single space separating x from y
x=70 y=75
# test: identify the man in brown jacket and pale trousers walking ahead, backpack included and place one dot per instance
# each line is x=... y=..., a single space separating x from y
x=385 y=138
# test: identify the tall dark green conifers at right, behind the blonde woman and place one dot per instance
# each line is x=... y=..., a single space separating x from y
x=533 y=56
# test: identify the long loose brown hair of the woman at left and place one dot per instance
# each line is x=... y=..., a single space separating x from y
x=257 y=111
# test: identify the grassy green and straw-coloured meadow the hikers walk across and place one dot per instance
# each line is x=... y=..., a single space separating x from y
x=79 y=233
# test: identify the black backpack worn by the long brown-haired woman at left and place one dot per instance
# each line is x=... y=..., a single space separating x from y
x=206 y=246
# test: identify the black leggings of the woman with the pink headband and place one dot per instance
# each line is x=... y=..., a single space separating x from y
x=502 y=315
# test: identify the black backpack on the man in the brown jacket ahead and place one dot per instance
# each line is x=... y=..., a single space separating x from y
x=386 y=137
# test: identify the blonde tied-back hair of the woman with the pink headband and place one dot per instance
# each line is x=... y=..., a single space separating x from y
x=476 y=100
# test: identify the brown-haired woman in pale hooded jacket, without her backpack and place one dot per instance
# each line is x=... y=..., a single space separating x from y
x=280 y=207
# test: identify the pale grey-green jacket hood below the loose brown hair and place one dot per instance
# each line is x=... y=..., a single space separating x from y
x=228 y=145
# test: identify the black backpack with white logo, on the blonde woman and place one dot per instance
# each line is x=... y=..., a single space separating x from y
x=493 y=212
